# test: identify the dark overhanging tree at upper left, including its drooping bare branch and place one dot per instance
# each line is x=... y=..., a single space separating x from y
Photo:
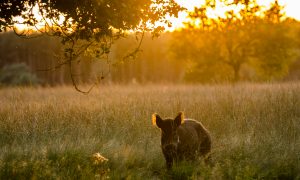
x=85 y=26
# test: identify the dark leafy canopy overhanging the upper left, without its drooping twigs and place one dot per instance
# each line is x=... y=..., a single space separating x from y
x=87 y=19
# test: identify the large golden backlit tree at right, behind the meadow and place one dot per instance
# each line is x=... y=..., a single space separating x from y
x=246 y=36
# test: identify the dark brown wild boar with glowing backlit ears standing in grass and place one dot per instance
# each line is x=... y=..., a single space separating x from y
x=182 y=139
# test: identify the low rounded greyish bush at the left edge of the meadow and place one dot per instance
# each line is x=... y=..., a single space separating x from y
x=18 y=75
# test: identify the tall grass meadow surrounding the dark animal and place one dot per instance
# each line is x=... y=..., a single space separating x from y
x=54 y=133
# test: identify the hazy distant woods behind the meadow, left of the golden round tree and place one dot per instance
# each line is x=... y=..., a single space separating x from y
x=152 y=63
